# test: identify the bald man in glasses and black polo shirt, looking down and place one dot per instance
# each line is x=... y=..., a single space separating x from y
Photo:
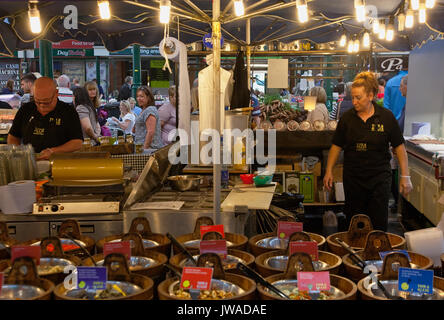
x=50 y=125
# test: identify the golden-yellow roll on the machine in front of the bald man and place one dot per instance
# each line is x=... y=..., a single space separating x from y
x=87 y=169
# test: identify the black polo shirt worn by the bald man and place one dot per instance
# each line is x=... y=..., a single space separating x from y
x=56 y=128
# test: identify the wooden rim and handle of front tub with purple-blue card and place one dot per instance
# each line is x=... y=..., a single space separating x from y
x=120 y=273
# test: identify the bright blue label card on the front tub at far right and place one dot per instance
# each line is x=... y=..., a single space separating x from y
x=415 y=280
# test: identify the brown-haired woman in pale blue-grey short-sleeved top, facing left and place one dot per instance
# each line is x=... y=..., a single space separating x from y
x=147 y=127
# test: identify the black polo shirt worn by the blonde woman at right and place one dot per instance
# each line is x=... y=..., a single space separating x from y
x=366 y=144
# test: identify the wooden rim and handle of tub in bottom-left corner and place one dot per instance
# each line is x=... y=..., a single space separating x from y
x=30 y=277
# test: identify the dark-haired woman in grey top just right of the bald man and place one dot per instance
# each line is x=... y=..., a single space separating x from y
x=87 y=114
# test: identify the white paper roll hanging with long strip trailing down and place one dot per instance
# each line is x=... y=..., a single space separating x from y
x=176 y=51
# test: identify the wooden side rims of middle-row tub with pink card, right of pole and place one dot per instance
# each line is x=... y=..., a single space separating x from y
x=334 y=262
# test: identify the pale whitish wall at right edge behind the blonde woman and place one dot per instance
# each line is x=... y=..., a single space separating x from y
x=425 y=89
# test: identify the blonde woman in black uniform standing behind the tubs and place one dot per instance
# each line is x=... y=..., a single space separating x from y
x=365 y=133
